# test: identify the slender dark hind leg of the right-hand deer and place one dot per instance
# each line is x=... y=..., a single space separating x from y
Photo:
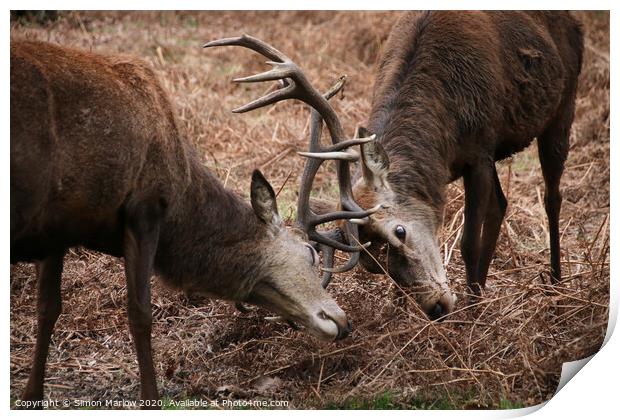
x=552 y=152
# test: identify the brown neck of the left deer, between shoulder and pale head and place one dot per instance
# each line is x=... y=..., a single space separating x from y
x=209 y=241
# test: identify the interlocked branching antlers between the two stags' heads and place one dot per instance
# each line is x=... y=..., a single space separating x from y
x=295 y=85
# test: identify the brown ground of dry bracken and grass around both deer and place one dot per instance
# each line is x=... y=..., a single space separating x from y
x=509 y=349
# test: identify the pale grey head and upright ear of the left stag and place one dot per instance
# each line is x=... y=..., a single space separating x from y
x=289 y=280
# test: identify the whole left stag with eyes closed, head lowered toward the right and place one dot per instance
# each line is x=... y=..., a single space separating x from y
x=98 y=160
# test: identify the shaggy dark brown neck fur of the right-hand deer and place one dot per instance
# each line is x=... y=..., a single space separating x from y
x=431 y=95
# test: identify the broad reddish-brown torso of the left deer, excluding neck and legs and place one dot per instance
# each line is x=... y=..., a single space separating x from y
x=89 y=133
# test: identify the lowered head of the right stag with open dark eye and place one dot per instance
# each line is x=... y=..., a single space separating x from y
x=403 y=235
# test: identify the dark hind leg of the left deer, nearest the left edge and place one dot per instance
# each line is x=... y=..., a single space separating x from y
x=49 y=306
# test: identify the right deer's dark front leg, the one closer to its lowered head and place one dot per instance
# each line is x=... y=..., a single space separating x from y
x=477 y=180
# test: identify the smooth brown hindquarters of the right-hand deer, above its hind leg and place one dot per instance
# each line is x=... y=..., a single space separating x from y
x=541 y=56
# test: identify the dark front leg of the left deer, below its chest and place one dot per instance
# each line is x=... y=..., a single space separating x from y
x=140 y=245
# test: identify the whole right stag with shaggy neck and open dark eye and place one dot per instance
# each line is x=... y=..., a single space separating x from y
x=456 y=92
